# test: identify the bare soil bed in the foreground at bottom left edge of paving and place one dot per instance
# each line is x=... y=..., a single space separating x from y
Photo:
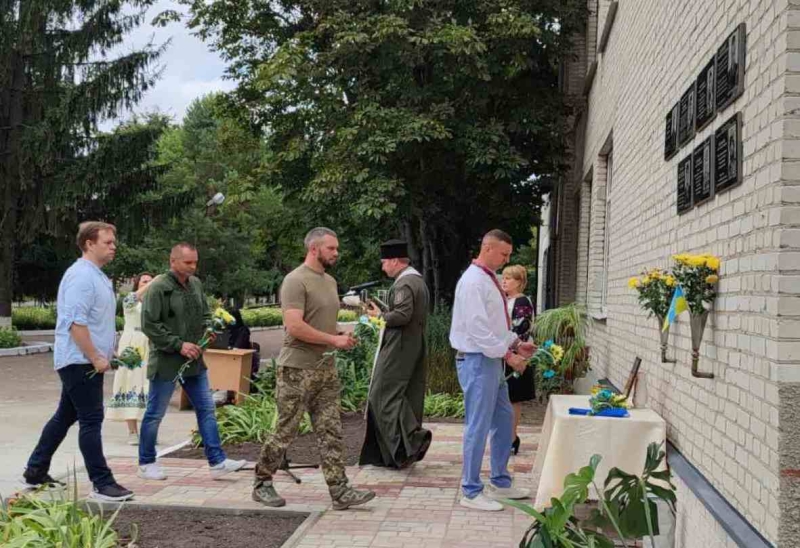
x=177 y=528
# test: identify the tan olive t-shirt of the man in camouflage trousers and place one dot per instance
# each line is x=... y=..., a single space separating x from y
x=317 y=296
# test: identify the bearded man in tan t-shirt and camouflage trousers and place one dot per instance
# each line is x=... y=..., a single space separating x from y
x=306 y=377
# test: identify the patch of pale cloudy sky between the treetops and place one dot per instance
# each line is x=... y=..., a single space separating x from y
x=190 y=69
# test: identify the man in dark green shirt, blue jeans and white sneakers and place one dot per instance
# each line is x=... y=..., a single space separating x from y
x=174 y=312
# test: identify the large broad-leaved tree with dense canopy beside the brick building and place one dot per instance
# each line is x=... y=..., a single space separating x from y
x=426 y=118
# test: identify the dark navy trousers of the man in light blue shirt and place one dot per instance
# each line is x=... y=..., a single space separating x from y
x=82 y=402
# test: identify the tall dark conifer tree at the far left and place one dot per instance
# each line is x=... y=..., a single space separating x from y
x=58 y=79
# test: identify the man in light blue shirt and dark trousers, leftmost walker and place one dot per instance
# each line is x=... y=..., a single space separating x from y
x=84 y=342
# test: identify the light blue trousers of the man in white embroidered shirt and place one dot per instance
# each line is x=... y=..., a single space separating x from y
x=488 y=412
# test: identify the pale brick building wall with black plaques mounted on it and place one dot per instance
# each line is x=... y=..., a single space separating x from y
x=729 y=426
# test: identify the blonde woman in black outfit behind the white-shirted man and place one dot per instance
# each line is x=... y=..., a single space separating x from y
x=520 y=309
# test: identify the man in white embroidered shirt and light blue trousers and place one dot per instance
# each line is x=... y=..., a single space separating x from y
x=481 y=334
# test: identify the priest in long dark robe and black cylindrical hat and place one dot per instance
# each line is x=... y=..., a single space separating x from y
x=395 y=436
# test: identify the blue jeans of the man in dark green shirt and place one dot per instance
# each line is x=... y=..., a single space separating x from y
x=199 y=393
